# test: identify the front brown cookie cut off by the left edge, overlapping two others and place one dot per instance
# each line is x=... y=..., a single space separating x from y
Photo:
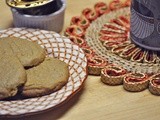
x=12 y=76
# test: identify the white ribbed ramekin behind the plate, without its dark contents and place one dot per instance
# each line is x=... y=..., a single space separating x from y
x=51 y=22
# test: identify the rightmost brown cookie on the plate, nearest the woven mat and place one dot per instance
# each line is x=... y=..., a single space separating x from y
x=47 y=77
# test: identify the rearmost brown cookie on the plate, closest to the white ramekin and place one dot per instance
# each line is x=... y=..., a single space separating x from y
x=29 y=53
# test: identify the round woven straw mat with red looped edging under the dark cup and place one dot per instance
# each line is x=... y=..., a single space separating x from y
x=103 y=34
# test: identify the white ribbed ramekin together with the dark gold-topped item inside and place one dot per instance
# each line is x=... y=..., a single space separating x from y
x=38 y=14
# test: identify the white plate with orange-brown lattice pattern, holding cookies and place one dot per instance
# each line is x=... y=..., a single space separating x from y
x=55 y=46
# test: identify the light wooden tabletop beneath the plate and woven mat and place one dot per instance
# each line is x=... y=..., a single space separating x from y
x=95 y=101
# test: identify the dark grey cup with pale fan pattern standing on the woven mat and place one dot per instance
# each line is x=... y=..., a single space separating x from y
x=145 y=23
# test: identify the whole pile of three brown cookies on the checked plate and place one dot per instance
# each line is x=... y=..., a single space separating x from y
x=24 y=69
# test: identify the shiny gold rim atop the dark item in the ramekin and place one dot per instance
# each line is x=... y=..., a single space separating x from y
x=23 y=4
